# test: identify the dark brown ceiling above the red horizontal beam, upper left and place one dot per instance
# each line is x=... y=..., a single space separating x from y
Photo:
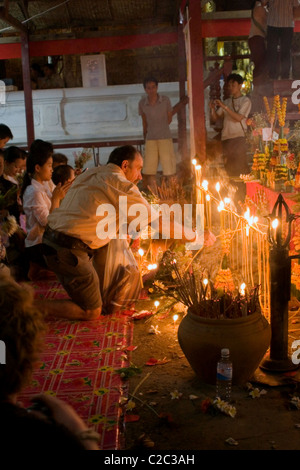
x=81 y=16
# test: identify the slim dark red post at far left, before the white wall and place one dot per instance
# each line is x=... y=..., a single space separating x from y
x=27 y=89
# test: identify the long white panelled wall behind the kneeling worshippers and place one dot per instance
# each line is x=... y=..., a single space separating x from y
x=72 y=115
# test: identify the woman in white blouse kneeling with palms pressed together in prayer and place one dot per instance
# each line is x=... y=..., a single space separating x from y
x=39 y=201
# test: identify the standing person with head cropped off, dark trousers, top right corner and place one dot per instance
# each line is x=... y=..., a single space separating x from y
x=280 y=31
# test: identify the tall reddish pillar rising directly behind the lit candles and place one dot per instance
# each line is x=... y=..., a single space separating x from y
x=196 y=51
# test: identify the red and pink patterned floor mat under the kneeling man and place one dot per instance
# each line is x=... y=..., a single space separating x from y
x=78 y=365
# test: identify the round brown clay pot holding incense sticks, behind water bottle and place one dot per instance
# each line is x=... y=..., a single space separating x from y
x=247 y=338
